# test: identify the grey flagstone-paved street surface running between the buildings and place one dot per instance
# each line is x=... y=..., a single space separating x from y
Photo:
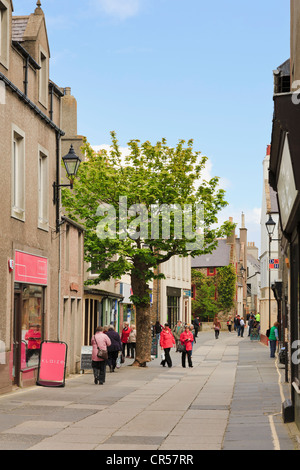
x=231 y=399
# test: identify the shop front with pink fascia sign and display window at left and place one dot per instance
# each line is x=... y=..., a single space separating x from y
x=30 y=281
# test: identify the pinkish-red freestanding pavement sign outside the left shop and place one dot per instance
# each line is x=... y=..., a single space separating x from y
x=52 y=365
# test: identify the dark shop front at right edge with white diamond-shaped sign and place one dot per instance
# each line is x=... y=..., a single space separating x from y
x=284 y=177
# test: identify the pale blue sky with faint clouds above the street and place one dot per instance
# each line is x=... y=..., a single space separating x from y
x=174 y=69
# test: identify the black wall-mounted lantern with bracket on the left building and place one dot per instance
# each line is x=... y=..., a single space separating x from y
x=71 y=162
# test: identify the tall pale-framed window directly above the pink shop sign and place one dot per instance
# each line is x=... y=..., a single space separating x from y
x=18 y=174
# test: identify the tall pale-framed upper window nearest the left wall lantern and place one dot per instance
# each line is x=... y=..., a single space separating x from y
x=43 y=188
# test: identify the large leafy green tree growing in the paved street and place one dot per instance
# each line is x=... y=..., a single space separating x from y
x=132 y=209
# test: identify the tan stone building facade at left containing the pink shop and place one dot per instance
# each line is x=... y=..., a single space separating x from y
x=41 y=294
